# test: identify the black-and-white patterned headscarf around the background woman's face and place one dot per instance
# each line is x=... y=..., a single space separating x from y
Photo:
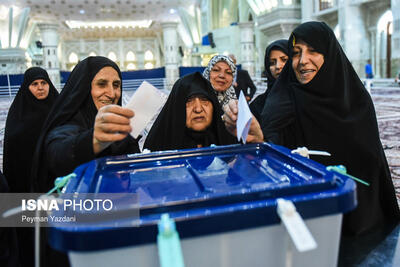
x=223 y=97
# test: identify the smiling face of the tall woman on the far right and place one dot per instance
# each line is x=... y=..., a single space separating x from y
x=306 y=62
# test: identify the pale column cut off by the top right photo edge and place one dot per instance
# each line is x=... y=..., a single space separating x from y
x=395 y=4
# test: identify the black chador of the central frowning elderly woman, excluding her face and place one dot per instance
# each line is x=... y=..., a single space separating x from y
x=169 y=131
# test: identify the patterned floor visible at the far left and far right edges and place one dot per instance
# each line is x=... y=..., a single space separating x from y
x=387 y=105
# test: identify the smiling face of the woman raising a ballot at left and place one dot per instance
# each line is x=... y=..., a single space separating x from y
x=106 y=87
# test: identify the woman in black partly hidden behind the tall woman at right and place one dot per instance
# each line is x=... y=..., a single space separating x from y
x=276 y=55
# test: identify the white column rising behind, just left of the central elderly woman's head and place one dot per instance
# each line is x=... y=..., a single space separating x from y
x=170 y=52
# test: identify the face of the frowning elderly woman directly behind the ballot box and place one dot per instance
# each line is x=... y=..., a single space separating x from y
x=199 y=113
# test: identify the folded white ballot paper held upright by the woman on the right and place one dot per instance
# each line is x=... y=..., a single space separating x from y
x=244 y=118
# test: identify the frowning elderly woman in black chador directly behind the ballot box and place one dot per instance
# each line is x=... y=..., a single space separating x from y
x=190 y=118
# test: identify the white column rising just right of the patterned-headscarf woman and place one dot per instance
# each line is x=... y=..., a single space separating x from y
x=247 y=46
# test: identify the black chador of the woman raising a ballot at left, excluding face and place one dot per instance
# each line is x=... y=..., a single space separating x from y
x=68 y=132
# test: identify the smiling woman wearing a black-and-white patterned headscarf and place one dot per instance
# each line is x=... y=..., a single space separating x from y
x=221 y=72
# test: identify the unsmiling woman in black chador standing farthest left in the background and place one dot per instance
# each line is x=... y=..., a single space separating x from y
x=25 y=118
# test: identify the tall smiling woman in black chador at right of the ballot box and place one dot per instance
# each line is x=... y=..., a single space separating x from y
x=319 y=102
